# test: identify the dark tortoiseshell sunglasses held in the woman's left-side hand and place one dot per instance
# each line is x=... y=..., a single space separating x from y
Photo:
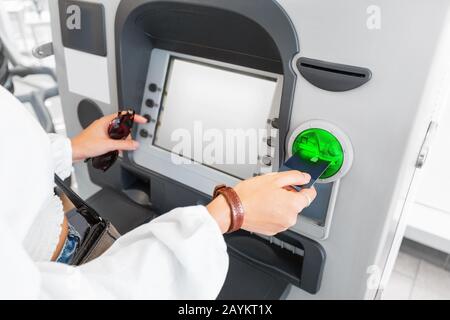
x=119 y=129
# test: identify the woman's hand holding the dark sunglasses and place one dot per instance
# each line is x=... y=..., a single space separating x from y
x=94 y=141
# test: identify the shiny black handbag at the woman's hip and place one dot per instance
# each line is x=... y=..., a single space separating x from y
x=100 y=235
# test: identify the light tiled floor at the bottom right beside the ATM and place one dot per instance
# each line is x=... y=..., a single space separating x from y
x=419 y=273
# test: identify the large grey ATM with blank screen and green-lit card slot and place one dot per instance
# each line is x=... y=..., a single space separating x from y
x=358 y=84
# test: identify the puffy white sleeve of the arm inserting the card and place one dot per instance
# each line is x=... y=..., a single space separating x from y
x=181 y=255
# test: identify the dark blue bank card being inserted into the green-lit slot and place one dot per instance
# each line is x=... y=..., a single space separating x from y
x=314 y=169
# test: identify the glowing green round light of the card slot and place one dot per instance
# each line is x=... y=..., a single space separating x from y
x=318 y=144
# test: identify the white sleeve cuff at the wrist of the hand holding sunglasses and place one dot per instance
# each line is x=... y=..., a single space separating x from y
x=61 y=154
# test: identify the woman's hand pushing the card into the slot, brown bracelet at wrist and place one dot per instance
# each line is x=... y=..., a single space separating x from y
x=270 y=204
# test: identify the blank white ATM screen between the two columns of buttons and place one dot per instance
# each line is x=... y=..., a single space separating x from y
x=211 y=107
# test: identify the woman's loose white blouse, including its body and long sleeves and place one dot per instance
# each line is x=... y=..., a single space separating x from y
x=181 y=255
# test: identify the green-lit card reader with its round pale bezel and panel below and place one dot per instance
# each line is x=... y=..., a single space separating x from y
x=310 y=145
